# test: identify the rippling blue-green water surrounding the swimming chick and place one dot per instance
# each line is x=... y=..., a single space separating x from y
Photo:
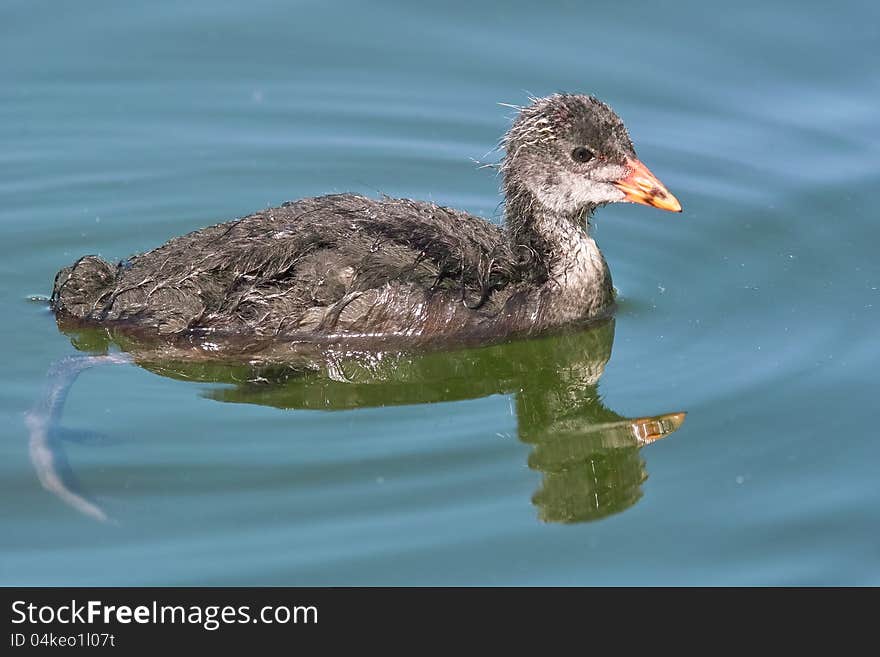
x=756 y=311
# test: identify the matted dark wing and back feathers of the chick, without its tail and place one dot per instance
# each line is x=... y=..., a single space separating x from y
x=275 y=267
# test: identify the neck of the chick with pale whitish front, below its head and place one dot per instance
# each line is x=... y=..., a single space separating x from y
x=559 y=250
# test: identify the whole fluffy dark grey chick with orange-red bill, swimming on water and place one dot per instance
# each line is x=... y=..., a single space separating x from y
x=349 y=269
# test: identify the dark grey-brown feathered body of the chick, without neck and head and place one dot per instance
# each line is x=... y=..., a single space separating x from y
x=325 y=268
